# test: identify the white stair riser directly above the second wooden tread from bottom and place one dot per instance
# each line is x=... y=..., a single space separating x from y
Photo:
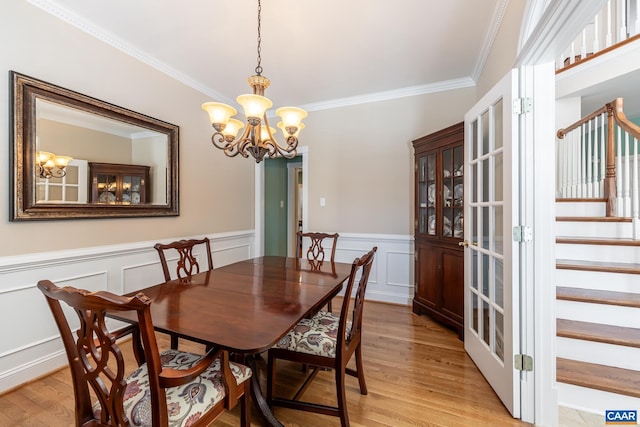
x=598 y=313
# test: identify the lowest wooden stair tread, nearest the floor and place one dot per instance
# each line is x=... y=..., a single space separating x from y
x=599 y=377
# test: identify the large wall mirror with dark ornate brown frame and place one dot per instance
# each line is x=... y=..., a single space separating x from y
x=75 y=156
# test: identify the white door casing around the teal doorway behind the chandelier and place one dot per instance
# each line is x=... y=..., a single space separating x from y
x=258 y=247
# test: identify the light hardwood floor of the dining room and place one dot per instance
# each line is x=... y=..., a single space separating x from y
x=416 y=370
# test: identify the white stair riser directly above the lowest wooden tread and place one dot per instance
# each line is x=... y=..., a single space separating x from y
x=599 y=353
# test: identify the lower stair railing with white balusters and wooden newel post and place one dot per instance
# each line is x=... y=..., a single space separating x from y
x=597 y=158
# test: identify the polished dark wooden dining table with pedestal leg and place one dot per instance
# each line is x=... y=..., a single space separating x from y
x=245 y=307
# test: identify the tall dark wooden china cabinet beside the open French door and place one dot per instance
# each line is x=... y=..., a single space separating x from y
x=439 y=207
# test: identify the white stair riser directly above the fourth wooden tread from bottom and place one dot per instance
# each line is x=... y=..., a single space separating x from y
x=602 y=253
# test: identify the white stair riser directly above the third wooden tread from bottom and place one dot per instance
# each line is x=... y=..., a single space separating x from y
x=618 y=282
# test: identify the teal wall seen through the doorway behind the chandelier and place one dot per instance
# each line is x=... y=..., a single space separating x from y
x=275 y=217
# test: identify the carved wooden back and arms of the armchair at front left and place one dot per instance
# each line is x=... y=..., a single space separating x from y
x=98 y=366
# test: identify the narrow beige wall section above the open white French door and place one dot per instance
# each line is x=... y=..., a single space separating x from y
x=504 y=50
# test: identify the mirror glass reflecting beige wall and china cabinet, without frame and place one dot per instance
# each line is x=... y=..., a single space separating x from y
x=89 y=138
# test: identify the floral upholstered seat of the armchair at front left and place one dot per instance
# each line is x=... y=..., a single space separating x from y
x=185 y=403
